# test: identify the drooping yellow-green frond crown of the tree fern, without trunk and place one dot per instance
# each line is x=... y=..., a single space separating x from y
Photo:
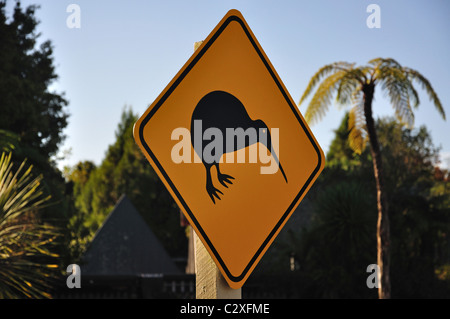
x=344 y=79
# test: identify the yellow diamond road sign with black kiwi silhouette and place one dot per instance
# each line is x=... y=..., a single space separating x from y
x=231 y=147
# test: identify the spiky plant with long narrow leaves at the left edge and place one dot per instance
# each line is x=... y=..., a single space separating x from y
x=27 y=252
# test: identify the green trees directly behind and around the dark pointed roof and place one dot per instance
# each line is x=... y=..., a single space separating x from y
x=124 y=170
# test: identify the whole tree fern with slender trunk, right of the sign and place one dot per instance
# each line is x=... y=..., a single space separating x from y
x=356 y=87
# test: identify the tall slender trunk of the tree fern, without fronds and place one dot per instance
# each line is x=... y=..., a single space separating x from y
x=383 y=234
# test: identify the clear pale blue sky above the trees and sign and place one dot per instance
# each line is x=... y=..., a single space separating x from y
x=126 y=52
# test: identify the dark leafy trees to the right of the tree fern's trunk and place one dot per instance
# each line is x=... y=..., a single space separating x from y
x=420 y=221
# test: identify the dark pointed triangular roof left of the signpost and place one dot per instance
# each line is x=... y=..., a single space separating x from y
x=125 y=245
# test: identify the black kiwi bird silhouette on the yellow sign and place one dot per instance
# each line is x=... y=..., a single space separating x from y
x=222 y=110
